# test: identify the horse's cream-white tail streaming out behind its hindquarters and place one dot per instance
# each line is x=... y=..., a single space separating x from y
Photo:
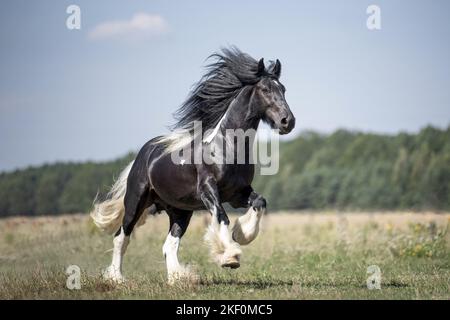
x=108 y=214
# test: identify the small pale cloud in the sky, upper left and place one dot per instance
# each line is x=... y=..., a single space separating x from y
x=141 y=25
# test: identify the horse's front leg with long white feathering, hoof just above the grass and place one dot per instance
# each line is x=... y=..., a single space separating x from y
x=224 y=250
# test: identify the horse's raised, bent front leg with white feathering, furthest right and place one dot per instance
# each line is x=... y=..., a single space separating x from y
x=246 y=227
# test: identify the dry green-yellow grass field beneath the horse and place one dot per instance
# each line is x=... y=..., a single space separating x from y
x=296 y=256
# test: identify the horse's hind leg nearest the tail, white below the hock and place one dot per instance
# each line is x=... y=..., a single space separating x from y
x=135 y=203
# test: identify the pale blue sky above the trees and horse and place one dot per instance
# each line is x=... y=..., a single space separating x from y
x=101 y=91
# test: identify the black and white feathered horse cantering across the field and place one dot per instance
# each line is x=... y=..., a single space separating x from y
x=236 y=93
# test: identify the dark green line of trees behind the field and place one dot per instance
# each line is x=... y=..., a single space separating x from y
x=344 y=170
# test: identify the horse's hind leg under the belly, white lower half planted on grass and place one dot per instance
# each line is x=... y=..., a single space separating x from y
x=179 y=221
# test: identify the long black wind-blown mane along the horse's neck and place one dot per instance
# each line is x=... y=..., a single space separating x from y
x=225 y=78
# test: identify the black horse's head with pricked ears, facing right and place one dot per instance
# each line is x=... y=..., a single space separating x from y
x=270 y=99
